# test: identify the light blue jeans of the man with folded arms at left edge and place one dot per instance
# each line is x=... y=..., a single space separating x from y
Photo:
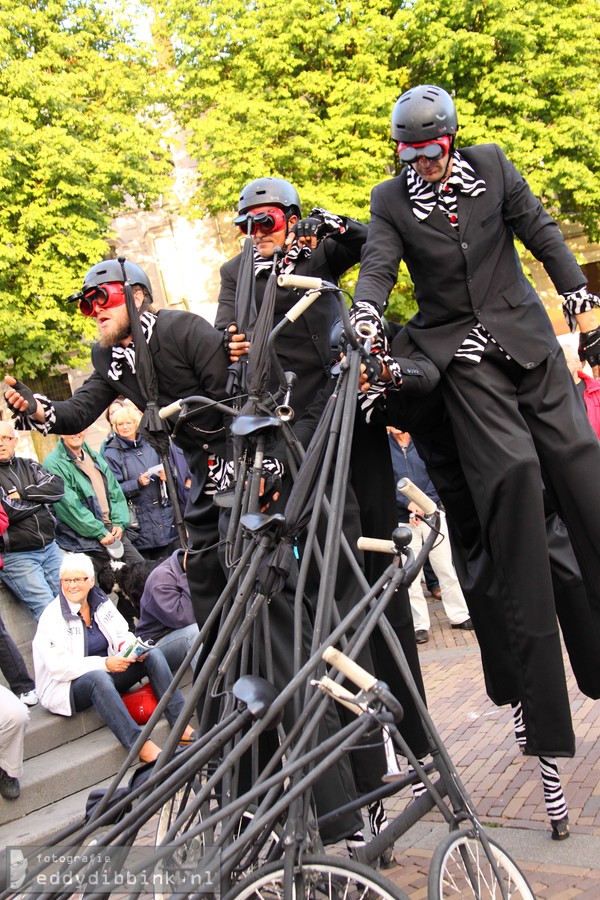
x=32 y=575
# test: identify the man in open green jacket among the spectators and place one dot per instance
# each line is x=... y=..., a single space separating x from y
x=93 y=514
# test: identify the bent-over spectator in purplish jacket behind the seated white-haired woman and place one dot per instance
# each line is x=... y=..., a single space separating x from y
x=166 y=614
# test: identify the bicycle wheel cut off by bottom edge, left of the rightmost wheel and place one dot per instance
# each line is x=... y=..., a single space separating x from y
x=318 y=878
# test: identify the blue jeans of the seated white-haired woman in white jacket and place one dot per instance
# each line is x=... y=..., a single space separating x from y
x=102 y=690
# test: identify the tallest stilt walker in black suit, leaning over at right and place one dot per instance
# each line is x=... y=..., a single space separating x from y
x=453 y=216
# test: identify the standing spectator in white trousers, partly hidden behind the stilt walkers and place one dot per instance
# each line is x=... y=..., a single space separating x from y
x=408 y=464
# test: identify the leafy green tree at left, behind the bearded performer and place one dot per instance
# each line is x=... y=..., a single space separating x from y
x=76 y=145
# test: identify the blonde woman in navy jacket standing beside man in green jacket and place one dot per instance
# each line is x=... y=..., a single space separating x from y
x=137 y=467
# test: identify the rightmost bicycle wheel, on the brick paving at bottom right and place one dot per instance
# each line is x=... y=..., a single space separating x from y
x=460 y=867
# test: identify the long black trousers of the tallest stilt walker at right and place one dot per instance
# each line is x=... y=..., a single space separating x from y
x=516 y=430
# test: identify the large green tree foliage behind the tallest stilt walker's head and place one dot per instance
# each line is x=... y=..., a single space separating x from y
x=305 y=91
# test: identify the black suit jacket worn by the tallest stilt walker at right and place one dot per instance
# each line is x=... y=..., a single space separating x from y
x=471 y=273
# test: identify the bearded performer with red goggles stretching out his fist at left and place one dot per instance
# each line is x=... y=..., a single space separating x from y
x=188 y=358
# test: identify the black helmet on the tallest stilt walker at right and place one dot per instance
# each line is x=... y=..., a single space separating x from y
x=423 y=113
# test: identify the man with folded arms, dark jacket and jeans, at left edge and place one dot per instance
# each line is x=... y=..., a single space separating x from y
x=31 y=555
